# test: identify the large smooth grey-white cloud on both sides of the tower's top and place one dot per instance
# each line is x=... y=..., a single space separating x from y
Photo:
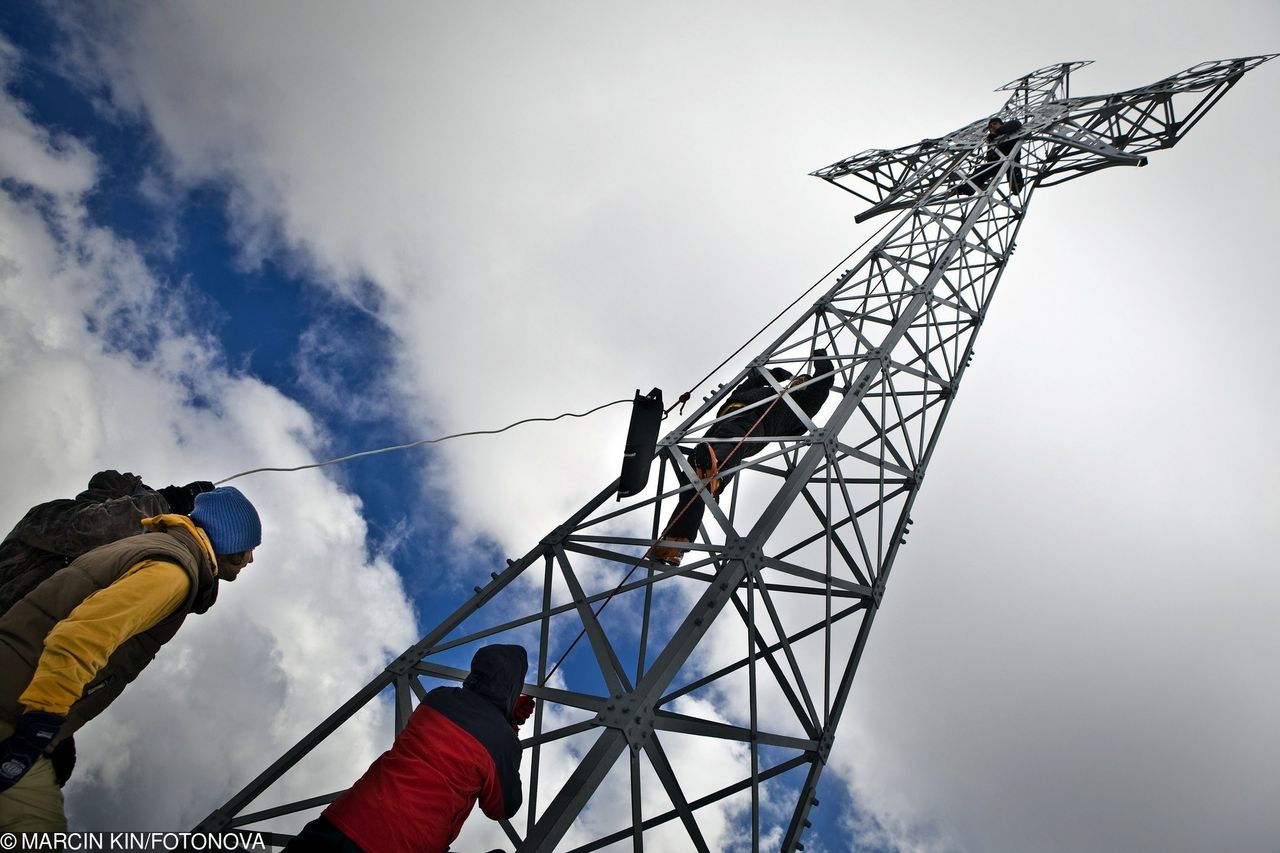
x=560 y=204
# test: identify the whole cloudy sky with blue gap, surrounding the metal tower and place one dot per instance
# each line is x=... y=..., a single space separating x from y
x=239 y=235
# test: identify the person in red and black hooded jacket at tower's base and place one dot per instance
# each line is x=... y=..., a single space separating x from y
x=460 y=746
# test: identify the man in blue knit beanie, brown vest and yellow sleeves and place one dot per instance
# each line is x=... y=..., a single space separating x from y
x=70 y=647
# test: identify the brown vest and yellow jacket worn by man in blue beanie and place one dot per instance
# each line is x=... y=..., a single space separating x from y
x=72 y=645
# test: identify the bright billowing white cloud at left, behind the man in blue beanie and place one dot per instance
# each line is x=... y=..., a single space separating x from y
x=244 y=682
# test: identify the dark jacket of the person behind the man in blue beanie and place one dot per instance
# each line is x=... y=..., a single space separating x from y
x=54 y=533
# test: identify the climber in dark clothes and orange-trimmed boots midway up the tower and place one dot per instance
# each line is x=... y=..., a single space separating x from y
x=730 y=441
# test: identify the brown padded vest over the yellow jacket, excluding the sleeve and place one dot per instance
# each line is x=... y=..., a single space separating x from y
x=25 y=628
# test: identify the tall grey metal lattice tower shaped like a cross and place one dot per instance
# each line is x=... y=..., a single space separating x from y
x=708 y=695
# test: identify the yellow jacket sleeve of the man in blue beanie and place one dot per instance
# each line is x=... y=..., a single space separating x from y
x=81 y=645
